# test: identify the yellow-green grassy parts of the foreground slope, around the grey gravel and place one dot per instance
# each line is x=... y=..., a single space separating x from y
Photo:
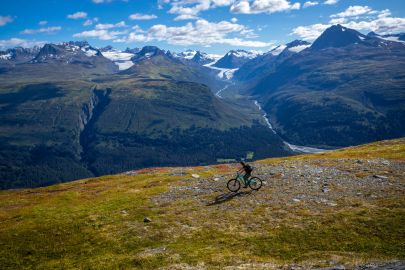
x=98 y=223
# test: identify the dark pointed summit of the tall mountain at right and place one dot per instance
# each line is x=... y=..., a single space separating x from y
x=337 y=36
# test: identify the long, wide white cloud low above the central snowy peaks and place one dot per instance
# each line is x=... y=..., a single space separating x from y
x=202 y=32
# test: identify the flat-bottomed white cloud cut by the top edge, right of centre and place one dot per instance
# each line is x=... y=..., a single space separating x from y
x=263 y=6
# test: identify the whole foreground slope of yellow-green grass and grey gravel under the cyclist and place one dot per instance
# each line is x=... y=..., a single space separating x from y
x=336 y=209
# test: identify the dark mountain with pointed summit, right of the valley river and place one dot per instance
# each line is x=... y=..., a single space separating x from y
x=346 y=89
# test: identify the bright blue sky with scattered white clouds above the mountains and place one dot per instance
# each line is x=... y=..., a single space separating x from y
x=214 y=26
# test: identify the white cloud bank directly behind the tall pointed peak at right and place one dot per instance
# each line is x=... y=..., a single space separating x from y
x=378 y=21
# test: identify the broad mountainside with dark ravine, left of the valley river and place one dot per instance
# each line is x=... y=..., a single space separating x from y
x=70 y=114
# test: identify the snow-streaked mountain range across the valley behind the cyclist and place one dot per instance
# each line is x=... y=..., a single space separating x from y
x=70 y=110
